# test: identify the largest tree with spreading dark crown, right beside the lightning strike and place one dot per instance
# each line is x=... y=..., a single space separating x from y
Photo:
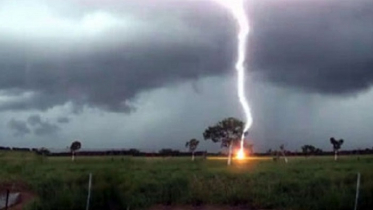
x=228 y=132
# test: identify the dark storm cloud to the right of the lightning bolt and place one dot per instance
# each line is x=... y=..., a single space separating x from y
x=318 y=46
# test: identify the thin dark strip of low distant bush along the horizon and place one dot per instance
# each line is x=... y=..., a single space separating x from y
x=176 y=153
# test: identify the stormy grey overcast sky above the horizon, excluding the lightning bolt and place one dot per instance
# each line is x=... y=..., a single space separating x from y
x=151 y=74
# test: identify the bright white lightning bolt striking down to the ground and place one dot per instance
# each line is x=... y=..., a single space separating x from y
x=238 y=11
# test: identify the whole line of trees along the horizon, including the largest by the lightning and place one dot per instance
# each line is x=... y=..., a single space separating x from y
x=228 y=133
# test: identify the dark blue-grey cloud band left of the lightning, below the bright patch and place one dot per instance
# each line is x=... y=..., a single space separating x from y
x=108 y=80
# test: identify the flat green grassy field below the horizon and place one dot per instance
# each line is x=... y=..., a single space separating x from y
x=141 y=183
